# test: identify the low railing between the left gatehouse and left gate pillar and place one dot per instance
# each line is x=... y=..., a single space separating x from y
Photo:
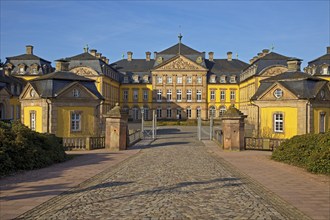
x=83 y=143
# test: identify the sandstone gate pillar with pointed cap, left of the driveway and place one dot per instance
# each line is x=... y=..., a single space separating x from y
x=116 y=129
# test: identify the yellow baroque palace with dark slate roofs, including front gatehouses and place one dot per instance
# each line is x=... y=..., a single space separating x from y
x=179 y=83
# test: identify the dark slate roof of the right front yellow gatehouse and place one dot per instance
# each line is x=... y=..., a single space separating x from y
x=303 y=85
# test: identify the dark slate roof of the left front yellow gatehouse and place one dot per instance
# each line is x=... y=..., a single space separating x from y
x=50 y=85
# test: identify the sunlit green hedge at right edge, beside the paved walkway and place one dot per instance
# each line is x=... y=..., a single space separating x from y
x=310 y=151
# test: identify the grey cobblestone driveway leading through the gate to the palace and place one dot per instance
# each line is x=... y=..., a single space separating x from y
x=172 y=178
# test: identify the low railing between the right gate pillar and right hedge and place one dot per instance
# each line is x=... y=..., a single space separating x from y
x=269 y=144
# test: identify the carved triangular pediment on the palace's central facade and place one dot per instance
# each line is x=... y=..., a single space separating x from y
x=180 y=63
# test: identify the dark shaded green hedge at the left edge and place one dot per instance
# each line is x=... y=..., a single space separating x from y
x=24 y=149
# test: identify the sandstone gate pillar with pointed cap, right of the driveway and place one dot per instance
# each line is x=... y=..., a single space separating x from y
x=233 y=129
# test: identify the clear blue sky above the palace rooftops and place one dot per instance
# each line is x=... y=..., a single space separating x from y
x=60 y=29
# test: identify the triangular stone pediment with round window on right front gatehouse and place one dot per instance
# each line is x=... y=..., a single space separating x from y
x=269 y=94
